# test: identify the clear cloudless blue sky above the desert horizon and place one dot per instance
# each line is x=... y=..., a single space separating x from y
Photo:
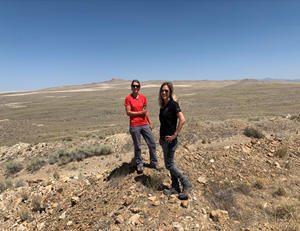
x=57 y=43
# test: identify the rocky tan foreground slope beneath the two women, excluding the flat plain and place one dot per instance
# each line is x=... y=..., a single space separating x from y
x=241 y=183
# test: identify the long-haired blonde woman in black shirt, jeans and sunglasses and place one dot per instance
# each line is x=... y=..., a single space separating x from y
x=170 y=112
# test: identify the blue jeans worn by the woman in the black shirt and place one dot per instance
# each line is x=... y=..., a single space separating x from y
x=169 y=152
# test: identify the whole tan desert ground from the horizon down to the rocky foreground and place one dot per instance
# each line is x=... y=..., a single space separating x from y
x=241 y=182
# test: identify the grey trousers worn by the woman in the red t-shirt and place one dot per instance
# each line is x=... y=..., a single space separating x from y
x=148 y=136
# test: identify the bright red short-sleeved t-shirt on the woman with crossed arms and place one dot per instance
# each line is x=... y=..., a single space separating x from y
x=136 y=105
